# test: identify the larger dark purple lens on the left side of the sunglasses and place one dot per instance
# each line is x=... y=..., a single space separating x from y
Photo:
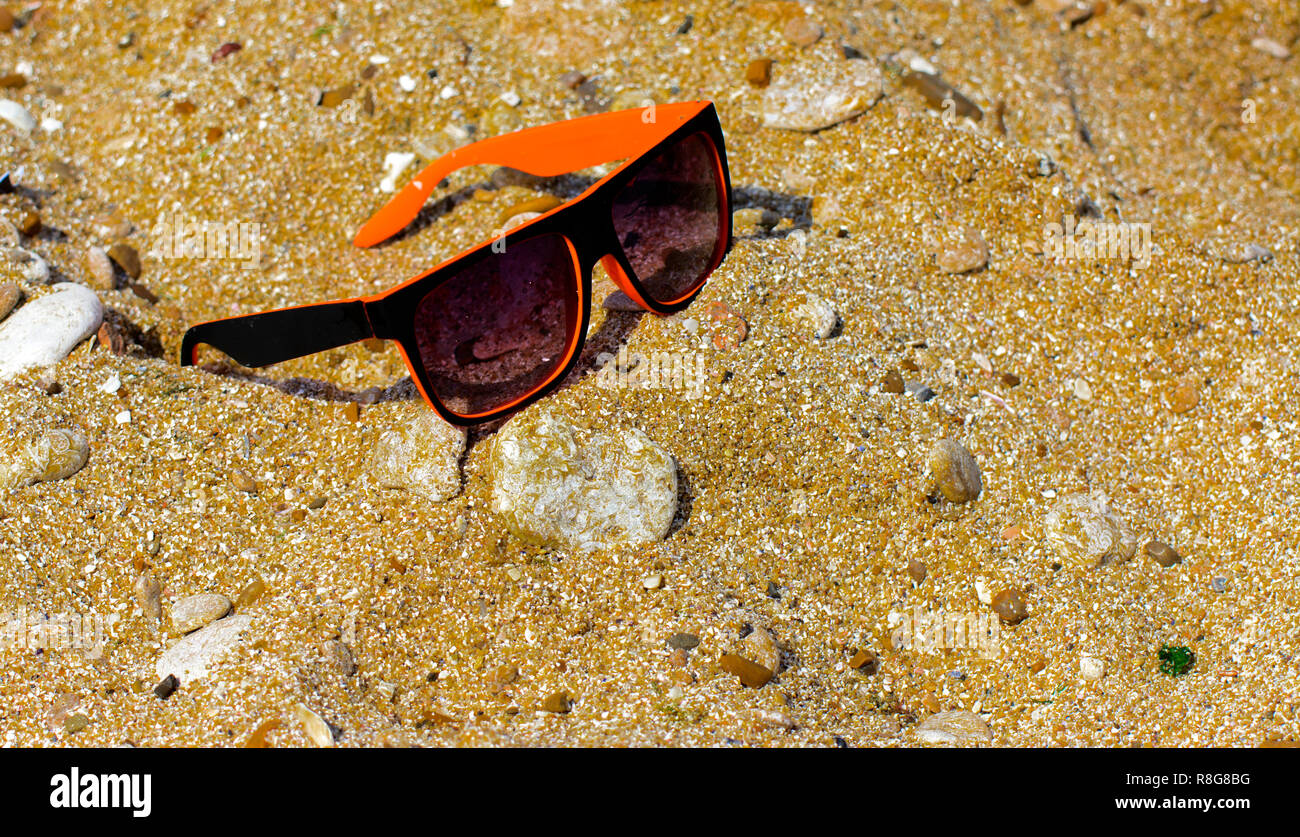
x=501 y=328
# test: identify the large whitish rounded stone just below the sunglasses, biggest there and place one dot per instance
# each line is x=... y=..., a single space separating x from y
x=556 y=484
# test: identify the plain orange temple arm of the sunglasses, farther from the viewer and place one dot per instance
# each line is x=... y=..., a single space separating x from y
x=545 y=151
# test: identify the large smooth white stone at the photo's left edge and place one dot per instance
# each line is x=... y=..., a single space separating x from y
x=46 y=329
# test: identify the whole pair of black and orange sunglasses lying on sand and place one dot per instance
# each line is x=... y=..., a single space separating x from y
x=501 y=326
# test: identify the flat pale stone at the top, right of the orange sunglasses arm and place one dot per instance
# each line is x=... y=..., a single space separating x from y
x=821 y=93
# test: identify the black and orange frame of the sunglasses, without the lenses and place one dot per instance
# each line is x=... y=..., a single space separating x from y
x=586 y=223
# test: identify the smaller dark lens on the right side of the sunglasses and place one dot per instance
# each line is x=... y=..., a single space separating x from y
x=669 y=219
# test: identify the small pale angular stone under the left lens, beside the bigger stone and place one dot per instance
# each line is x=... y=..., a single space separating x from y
x=422 y=457
